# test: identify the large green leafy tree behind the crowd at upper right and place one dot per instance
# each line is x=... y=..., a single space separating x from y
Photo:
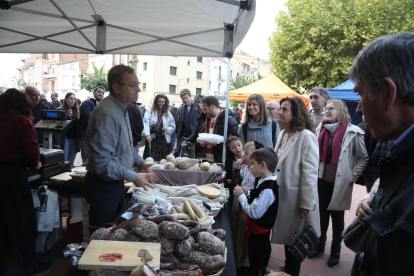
x=316 y=41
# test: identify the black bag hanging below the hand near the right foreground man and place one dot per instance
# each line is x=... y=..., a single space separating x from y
x=356 y=235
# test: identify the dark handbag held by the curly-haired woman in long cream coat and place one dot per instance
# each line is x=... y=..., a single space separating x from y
x=307 y=242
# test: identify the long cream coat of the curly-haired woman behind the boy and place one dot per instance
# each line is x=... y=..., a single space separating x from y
x=297 y=176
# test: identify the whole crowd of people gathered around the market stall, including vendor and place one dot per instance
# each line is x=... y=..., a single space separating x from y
x=287 y=168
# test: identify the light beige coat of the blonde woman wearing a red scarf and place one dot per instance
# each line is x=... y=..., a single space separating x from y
x=348 y=170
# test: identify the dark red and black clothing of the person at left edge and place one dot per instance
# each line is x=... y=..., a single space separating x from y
x=18 y=150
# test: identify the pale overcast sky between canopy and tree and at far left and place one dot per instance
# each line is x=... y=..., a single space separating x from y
x=255 y=43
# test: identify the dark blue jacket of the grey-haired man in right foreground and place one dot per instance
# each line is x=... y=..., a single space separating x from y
x=394 y=225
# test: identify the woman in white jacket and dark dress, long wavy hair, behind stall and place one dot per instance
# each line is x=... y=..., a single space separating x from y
x=159 y=124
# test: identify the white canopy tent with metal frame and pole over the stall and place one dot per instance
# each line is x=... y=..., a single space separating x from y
x=211 y=28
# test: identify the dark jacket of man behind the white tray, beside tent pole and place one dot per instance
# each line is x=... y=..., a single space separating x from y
x=219 y=130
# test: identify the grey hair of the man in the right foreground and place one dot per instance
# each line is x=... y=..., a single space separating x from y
x=388 y=56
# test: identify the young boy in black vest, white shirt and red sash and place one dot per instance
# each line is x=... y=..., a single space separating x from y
x=260 y=205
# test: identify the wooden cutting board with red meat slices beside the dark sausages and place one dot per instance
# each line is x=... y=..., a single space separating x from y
x=129 y=250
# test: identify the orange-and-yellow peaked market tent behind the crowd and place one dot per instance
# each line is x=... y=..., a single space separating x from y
x=270 y=87
